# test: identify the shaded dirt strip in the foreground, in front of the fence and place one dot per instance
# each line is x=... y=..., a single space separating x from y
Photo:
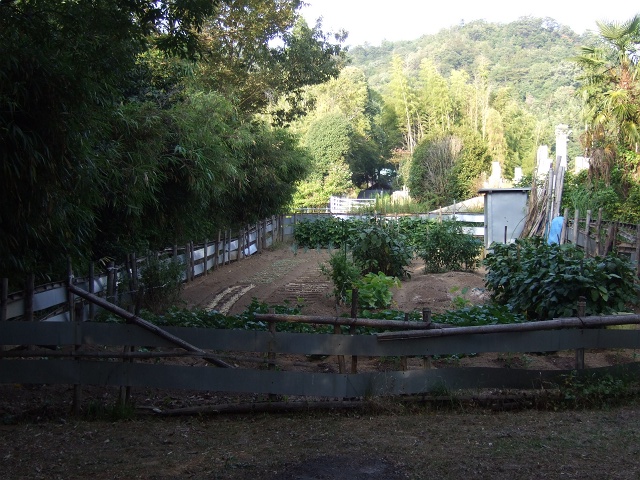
x=586 y=445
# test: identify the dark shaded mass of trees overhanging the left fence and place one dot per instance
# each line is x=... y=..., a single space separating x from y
x=145 y=125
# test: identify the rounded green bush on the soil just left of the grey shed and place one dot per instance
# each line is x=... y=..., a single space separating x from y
x=446 y=247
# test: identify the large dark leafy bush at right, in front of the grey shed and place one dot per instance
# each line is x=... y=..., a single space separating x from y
x=546 y=281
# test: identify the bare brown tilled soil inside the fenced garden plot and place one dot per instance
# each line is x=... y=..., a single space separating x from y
x=282 y=274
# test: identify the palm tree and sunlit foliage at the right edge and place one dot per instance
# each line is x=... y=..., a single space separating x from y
x=609 y=85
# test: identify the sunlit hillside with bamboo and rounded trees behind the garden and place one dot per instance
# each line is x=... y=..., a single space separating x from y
x=432 y=114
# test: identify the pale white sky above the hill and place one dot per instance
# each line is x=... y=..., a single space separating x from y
x=375 y=20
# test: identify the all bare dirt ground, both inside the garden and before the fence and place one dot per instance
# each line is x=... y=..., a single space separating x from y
x=383 y=439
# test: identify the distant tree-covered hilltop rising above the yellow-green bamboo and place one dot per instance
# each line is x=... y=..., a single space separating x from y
x=529 y=62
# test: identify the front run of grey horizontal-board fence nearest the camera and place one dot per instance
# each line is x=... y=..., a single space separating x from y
x=89 y=353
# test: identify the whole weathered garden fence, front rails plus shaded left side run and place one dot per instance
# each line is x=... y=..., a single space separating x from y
x=88 y=353
